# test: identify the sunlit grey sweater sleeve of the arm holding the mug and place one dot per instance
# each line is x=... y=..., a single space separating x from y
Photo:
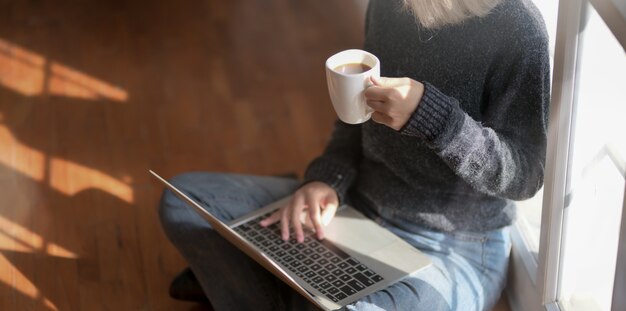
x=504 y=154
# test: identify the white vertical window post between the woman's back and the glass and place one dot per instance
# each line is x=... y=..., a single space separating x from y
x=557 y=186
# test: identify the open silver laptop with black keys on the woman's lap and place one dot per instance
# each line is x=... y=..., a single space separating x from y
x=356 y=258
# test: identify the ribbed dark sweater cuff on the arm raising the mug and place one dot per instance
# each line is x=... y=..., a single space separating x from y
x=432 y=115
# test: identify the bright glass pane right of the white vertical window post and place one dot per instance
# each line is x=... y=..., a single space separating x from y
x=593 y=212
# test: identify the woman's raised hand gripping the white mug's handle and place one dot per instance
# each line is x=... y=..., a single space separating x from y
x=394 y=100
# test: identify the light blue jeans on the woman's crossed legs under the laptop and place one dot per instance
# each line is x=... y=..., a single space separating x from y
x=468 y=271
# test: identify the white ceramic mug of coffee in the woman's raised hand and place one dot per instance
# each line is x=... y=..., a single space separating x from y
x=346 y=90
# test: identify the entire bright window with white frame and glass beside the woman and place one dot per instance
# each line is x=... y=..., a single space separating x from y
x=580 y=263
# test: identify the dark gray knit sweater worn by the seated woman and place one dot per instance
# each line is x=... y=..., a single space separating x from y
x=477 y=139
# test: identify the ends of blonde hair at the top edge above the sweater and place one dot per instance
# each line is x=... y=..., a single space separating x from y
x=437 y=13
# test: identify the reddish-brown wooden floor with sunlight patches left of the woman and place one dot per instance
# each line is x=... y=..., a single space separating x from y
x=95 y=93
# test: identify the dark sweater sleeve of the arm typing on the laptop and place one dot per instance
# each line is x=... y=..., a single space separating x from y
x=338 y=165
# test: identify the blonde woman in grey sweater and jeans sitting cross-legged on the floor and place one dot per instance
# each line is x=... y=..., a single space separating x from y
x=459 y=132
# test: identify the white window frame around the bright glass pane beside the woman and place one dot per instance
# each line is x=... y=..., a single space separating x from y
x=535 y=286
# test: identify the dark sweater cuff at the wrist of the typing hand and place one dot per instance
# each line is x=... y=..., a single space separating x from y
x=337 y=176
